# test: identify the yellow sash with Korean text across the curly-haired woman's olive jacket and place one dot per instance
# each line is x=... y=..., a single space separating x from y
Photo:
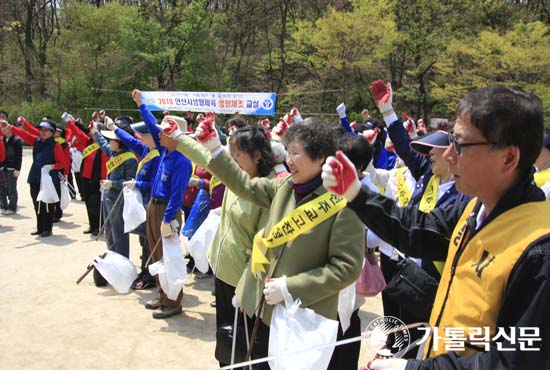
x=302 y=219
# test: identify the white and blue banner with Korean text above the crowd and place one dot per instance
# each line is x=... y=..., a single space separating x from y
x=261 y=104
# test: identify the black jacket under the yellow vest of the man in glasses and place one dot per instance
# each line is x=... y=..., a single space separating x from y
x=526 y=301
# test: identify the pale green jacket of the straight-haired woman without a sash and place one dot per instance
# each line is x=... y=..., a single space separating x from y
x=240 y=221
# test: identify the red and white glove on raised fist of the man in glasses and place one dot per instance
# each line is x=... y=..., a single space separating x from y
x=340 y=176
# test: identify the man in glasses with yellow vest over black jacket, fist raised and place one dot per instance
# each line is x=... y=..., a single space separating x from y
x=497 y=246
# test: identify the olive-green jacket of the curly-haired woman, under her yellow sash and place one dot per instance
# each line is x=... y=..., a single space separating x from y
x=318 y=264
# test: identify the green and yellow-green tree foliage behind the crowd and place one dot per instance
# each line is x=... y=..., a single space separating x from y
x=432 y=51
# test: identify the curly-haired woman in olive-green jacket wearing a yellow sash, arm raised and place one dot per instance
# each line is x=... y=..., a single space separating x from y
x=312 y=254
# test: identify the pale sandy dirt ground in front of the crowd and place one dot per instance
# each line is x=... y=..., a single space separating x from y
x=48 y=322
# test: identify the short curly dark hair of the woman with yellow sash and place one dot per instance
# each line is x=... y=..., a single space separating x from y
x=316 y=135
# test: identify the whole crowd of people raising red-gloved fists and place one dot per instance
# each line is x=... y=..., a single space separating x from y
x=455 y=211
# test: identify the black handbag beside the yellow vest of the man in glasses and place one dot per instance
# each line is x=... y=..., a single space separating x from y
x=413 y=287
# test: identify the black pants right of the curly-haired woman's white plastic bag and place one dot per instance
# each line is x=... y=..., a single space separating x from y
x=346 y=357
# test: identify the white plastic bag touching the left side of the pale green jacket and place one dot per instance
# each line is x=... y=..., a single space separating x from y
x=201 y=240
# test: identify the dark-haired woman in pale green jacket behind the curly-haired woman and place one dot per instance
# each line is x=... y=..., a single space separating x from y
x=240 y=219
